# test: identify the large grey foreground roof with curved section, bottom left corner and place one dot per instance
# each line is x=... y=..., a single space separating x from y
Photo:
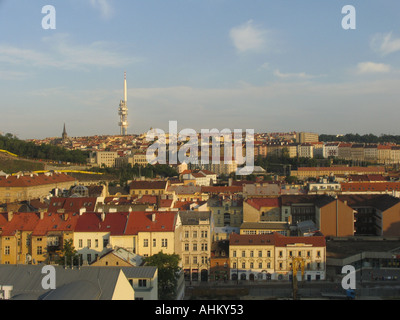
x=85 y=283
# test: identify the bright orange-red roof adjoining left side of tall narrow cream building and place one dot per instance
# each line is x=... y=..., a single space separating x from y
x=141 y=221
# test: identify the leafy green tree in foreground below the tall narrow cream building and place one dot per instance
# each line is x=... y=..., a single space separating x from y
x=168 y=270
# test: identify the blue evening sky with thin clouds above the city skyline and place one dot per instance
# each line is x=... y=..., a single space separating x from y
x=271 y=66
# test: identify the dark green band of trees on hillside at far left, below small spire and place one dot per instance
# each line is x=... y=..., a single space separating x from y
x=30 y=150
